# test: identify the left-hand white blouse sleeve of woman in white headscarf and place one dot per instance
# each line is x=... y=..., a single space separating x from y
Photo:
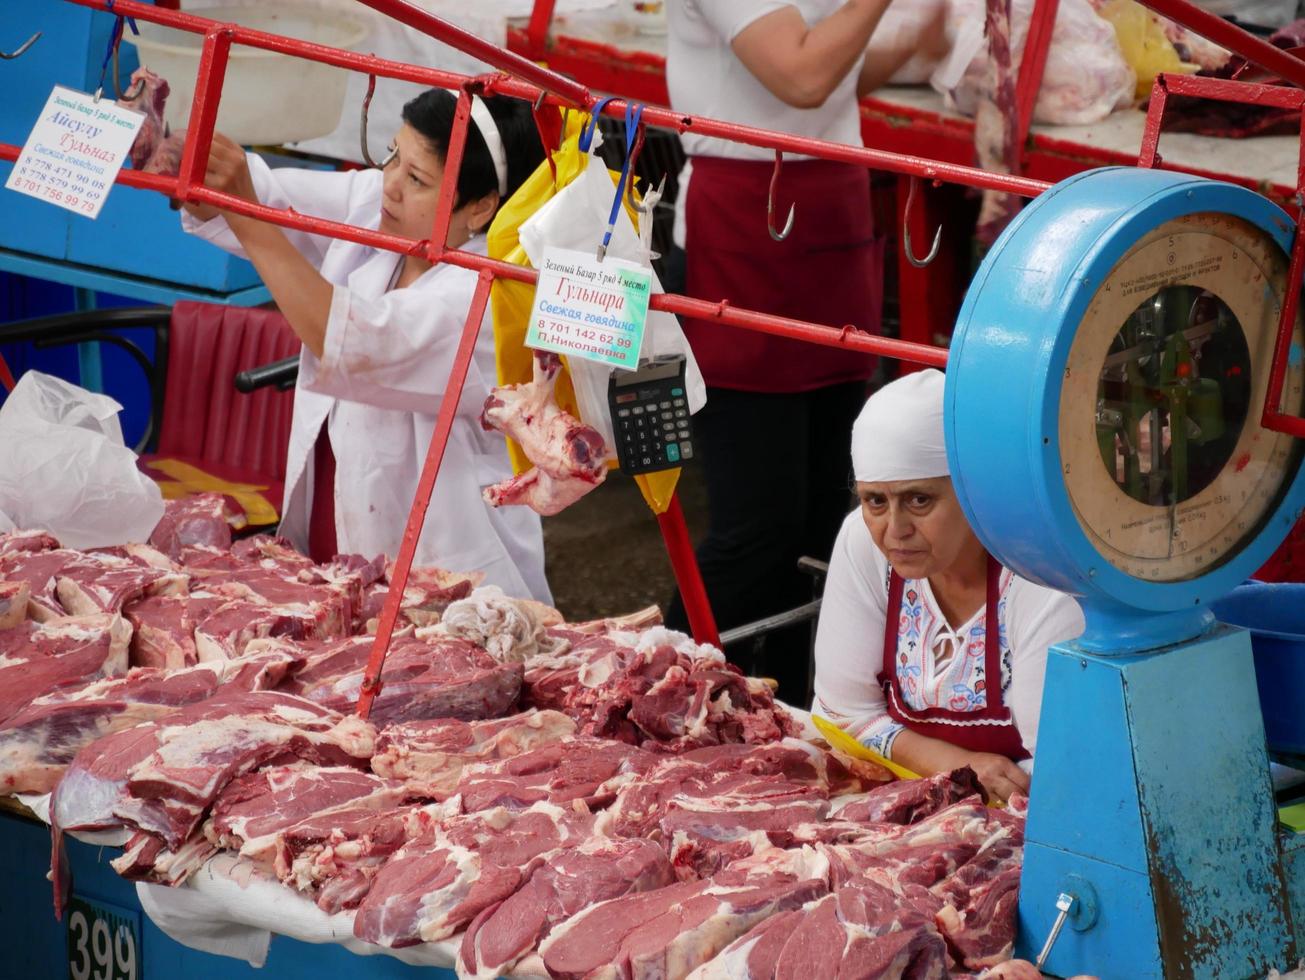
x=850 y=640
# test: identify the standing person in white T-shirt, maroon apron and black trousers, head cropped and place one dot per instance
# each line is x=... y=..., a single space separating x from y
x=777 y=410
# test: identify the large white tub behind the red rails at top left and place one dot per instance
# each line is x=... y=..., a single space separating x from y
x=267 y=99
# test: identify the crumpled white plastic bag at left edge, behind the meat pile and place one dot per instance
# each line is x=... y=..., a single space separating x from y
x=67 y=469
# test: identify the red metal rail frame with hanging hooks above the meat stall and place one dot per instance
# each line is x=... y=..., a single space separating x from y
x=534 y=84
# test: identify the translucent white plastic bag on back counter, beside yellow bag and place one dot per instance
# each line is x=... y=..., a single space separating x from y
x=1084 y=82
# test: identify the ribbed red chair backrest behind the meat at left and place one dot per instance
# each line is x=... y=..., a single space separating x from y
x=234 y=438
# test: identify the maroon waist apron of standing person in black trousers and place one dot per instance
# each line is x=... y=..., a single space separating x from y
x=829 y=271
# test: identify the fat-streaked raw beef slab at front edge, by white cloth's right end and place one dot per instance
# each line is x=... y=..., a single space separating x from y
x=438 y=884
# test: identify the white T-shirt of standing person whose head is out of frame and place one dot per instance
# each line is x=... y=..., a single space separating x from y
x=707 y=79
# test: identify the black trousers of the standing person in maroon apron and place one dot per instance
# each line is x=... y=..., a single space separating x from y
x=778 y=473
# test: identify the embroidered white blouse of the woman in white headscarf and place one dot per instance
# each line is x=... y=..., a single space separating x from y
x=938 y=666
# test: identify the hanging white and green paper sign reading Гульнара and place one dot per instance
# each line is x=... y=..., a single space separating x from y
x=592 y=310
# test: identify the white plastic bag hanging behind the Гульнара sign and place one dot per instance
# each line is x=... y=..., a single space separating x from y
x=576 y=219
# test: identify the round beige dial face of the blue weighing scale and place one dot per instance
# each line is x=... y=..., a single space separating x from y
x=1163 y=457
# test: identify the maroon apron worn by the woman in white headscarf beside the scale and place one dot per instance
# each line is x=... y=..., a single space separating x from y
x=1000 y=737
